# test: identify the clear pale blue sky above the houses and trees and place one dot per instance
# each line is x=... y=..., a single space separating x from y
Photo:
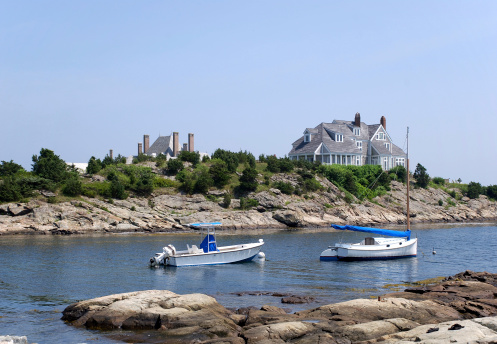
x=83 y=77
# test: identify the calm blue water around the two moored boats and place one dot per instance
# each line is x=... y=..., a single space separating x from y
x=41 y=275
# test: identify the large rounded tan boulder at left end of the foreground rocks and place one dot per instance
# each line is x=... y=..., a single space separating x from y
x=194 y=316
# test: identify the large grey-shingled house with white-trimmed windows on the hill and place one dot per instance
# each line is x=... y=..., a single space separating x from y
x=349 y=143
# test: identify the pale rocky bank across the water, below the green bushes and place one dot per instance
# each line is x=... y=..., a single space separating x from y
x=171 y=213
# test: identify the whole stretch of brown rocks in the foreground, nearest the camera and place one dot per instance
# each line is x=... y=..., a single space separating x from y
x=460 y=308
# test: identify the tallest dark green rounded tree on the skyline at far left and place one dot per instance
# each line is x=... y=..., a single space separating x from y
x=50 y=166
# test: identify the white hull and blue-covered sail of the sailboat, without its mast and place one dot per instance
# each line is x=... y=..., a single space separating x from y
x=399 y=245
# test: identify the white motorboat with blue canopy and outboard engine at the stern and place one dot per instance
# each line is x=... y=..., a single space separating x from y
x=207 y=253
